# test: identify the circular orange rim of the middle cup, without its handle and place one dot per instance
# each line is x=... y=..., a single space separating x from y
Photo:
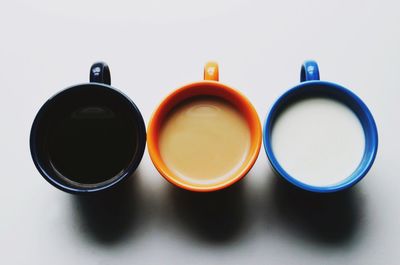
x=167 y=103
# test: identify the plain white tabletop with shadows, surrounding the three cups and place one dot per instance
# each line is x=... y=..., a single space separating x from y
x=155 y=46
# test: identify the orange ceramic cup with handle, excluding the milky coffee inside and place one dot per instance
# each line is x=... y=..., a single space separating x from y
x=209 y=87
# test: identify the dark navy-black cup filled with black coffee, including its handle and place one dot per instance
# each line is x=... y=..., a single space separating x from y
x=88 y=137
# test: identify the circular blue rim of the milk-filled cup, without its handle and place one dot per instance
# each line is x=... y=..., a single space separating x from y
x=352 y=101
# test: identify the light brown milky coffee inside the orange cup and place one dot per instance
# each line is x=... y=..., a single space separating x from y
x=204 y=140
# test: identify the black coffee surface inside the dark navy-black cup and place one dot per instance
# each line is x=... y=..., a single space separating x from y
x=91 y=145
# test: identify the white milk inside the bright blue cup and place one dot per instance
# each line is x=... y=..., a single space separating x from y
x=318 y=141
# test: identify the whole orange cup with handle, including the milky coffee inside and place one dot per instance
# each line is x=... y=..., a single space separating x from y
x=203 y=158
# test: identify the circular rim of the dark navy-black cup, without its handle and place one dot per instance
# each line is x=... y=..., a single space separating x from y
x=101 y=186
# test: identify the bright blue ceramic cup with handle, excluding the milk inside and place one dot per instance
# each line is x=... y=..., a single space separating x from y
x=310 y=87
